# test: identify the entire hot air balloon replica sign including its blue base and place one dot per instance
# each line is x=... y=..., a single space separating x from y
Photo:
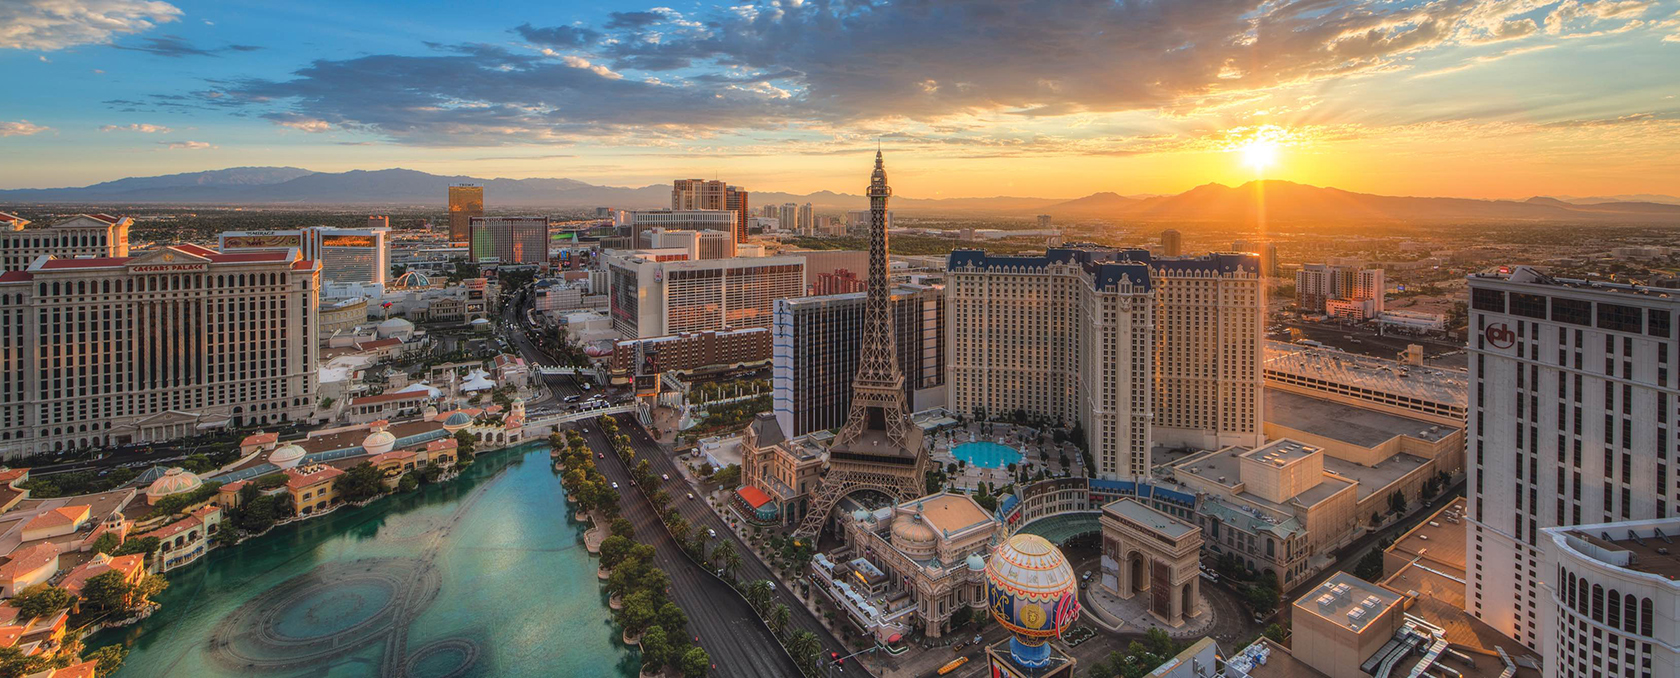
x=1032 y=593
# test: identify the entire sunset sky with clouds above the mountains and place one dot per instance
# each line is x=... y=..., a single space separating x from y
x=1488 y=100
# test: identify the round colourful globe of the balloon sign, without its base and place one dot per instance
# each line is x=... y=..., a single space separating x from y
x=1032 y=588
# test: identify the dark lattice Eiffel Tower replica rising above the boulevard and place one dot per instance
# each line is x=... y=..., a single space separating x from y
x=879 y=447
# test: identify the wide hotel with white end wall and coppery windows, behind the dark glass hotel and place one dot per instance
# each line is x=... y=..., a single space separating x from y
x=651 y=298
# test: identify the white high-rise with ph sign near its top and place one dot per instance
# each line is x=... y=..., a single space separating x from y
x=1572 y=422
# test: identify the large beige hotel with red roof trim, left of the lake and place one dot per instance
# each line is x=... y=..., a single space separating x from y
x=157 y=347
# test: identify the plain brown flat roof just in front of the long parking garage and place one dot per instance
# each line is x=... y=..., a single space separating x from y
x=1347 y=424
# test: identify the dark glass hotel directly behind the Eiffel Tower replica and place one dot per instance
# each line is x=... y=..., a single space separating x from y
x=817 y=343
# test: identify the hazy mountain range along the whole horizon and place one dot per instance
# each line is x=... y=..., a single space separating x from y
x=1279 y=201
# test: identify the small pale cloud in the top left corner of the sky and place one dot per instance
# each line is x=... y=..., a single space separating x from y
x=58 y=24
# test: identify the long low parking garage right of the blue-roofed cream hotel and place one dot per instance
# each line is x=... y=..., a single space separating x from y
x=1436 y=385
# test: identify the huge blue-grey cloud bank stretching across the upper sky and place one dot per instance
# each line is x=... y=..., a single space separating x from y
x=834 y=65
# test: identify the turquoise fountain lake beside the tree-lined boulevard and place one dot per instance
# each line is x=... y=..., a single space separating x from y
x=483 y=576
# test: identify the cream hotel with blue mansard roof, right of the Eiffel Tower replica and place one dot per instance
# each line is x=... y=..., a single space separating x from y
x=1131 y=348
